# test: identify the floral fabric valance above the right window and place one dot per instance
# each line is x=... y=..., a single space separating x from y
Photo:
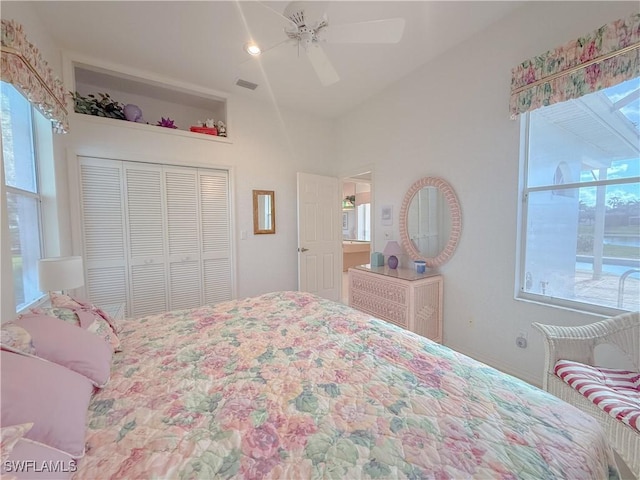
x=601 y=59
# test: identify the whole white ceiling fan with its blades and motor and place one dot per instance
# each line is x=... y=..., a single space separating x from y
x=306 y=23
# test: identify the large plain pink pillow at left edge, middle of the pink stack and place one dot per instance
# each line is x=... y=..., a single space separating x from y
x=51 y=397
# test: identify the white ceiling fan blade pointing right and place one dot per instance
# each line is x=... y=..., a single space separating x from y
x=377 y=31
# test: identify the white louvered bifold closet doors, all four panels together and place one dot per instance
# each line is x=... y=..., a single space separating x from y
x=156 y=237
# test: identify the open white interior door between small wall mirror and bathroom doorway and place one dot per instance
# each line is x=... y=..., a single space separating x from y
x=319 y=236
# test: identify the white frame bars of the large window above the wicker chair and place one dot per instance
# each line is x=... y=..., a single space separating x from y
x=520 y=280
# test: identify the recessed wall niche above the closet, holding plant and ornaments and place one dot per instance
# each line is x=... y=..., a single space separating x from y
x=157 y=99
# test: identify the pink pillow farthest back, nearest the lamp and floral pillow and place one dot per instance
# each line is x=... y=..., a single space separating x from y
x=69 y=346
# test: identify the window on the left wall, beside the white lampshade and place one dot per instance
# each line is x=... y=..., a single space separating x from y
x=21 y=188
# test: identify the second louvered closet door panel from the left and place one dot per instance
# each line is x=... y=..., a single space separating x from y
x=146 y=225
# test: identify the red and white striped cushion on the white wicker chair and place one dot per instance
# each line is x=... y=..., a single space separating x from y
x=617 y=392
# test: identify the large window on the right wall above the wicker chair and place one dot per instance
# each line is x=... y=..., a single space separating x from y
x=580 y=239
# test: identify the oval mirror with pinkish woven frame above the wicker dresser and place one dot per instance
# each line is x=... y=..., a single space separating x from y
x=430 y=221
